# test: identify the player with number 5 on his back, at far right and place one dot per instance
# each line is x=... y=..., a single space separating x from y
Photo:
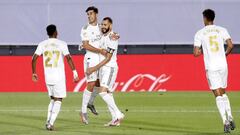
x=210 y=40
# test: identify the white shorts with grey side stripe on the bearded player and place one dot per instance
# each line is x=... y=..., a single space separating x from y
x=108 y=76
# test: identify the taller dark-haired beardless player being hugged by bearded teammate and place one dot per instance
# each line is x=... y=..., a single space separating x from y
x=91 y=36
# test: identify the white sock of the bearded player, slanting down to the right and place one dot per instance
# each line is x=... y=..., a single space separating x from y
x=111 y=103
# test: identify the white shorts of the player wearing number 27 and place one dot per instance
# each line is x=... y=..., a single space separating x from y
x=57 y=90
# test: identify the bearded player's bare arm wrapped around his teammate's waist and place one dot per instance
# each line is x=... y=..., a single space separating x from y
x=98 y=66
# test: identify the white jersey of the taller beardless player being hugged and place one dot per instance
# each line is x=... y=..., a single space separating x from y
x=93 y=35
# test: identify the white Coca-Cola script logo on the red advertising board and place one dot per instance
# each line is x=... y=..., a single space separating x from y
x=139 y=82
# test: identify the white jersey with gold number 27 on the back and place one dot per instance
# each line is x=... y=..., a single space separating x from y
x=53 y=51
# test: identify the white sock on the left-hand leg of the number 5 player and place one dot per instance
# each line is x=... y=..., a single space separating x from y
x=221 y=108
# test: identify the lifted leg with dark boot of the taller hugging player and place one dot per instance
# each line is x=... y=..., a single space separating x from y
x=92 y=98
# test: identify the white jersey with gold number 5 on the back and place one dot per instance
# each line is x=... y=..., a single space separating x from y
x=212 y=38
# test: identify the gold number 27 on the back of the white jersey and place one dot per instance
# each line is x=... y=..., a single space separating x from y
x=49 y=56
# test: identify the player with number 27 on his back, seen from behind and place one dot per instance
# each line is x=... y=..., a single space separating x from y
x=53 y=51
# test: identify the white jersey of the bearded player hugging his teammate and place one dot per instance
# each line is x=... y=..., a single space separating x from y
x=111 y=46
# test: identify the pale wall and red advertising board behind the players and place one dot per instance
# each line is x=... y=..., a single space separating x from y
x=155 y=45
